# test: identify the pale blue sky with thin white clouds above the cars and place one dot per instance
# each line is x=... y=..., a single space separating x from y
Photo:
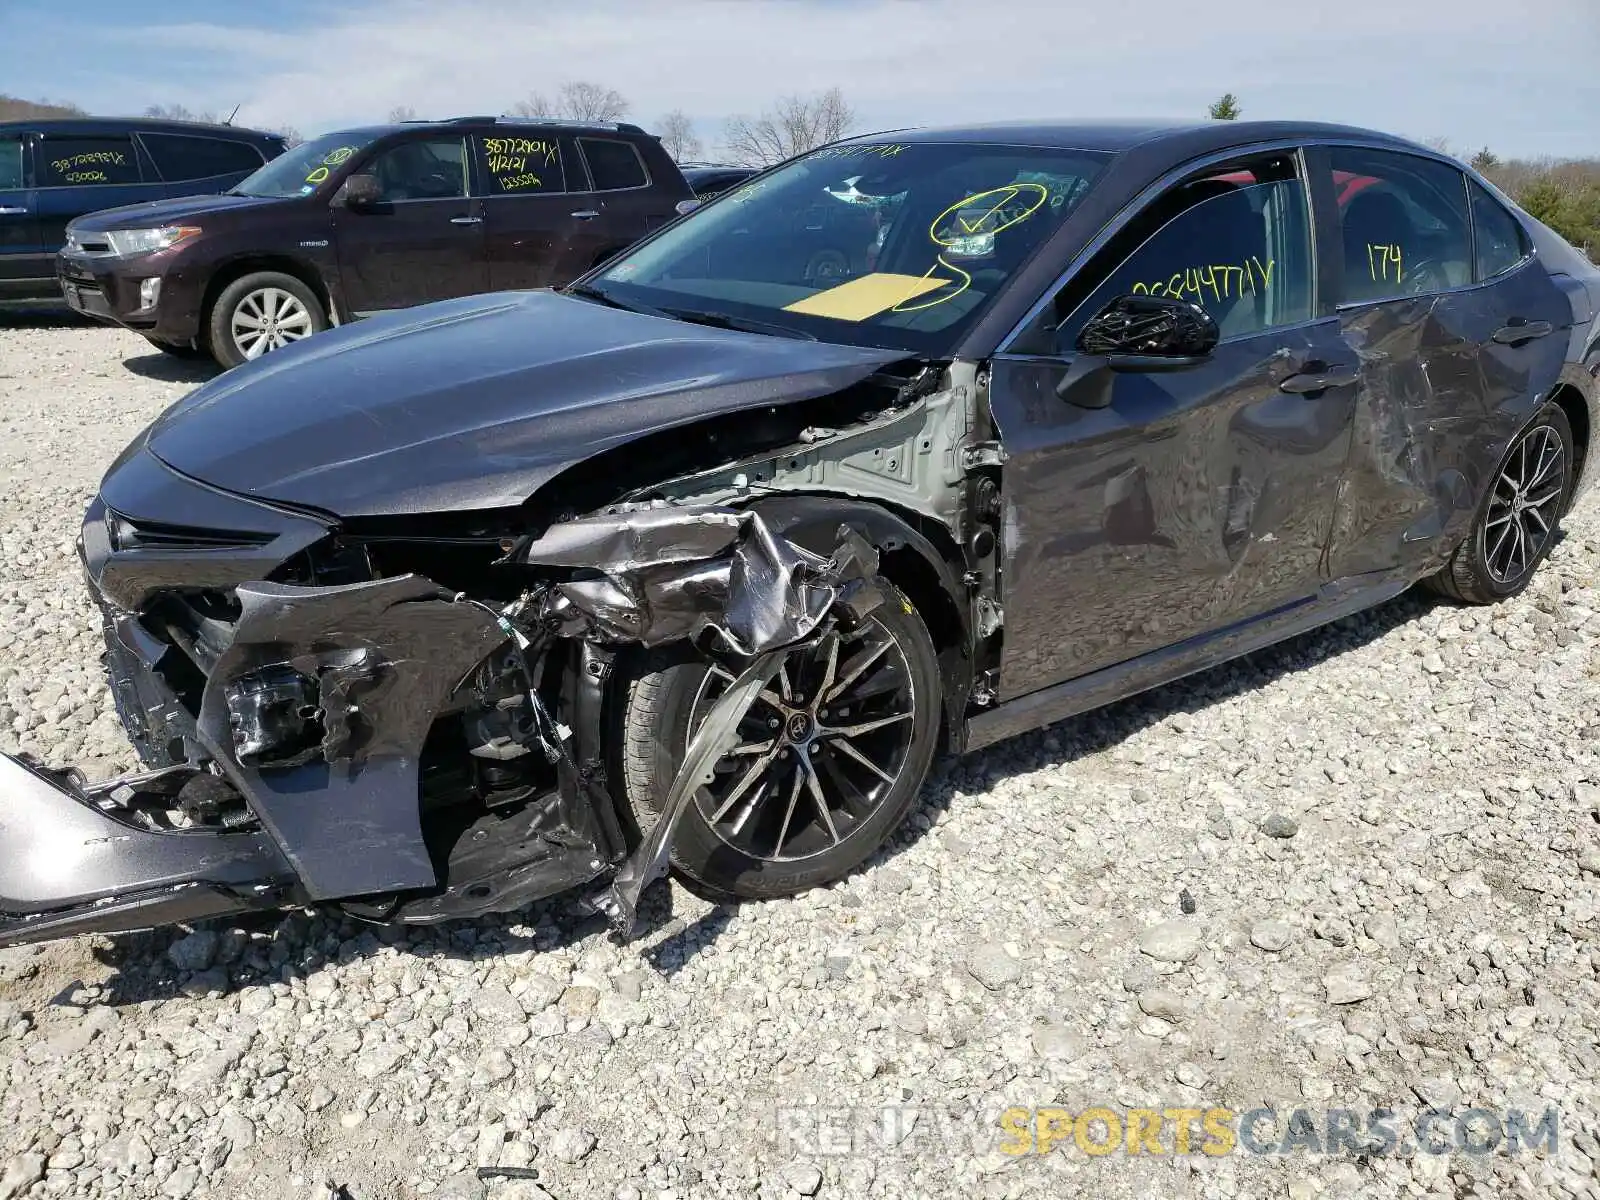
x=1522 y=79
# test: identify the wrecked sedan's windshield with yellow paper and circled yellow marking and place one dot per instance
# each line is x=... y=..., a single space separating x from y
x=871 y=244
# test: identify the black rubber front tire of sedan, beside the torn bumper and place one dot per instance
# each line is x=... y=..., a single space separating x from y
x=666 y=698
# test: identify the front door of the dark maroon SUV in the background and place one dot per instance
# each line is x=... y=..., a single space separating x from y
x=423 y=241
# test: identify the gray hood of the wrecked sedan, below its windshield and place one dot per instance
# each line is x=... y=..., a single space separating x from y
x=474 y=404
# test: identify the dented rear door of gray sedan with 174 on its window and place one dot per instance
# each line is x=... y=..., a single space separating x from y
x=1457 y=346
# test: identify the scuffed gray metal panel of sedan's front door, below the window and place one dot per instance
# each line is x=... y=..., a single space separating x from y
x=1194 y=500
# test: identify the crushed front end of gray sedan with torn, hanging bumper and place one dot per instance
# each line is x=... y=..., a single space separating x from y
x=322 y=721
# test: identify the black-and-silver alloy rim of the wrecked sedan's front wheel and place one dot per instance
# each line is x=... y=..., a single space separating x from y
x=818 y=753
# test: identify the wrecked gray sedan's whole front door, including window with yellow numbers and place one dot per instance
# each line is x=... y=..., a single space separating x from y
x=1145 y=508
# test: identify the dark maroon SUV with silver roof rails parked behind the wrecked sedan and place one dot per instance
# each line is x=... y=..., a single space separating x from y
x=369 y=220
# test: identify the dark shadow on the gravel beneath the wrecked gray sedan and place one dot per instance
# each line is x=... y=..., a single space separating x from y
x=271 y=948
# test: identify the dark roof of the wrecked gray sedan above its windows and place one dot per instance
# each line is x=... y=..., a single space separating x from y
x=1116 y=137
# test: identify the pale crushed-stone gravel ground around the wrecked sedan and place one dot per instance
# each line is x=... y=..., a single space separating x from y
x=1358 y=871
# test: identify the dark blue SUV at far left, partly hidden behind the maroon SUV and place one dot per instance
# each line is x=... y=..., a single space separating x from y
x=57 y=170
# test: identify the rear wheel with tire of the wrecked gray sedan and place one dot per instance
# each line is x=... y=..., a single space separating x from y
x=1538 y=466
